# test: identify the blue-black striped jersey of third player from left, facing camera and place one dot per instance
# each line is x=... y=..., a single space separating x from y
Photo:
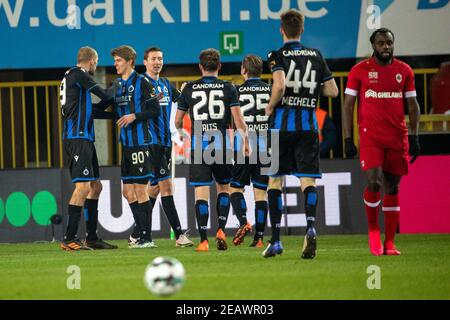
x=160 y=127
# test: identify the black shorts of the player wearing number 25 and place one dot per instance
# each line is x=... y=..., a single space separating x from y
x=243 y=174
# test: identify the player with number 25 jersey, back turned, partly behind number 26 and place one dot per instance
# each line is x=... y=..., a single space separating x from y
x=254 y=94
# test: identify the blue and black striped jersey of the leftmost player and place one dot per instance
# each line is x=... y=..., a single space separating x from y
x=76 y=104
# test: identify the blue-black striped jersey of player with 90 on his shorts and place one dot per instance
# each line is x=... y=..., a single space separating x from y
x=132 y=96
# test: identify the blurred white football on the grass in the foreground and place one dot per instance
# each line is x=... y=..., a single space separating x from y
x=164 y=276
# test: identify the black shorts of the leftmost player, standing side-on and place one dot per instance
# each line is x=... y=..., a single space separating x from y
x=82 y=160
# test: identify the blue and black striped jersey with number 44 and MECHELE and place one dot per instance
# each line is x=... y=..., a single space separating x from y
x=305 y=70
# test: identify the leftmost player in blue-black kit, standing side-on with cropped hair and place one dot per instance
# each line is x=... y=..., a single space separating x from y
x=78 y=138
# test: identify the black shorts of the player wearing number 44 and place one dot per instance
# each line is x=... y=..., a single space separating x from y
x=298 y=154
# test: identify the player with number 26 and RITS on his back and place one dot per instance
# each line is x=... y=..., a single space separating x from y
x=211 y=104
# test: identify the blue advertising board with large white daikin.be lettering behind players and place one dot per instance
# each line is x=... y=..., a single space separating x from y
x=48 y=33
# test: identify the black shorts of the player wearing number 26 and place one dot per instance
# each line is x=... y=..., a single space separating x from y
x=204 y=174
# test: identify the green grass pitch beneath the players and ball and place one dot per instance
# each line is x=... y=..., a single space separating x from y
x=39 y=271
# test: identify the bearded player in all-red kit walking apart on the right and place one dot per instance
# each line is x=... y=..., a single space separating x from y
x=382 y=84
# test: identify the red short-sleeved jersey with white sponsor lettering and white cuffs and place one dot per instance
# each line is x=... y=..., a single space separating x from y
x=381 y=92
